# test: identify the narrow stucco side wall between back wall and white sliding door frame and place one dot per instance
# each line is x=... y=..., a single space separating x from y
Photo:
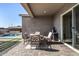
x=57 y=18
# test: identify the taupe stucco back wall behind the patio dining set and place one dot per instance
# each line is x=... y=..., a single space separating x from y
x=41 y=24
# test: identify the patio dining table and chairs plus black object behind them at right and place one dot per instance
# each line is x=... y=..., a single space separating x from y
x=38 y=40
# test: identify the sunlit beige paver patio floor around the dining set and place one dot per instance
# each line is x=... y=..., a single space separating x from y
x=58 y=50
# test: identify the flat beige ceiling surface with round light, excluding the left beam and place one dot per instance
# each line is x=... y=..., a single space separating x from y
x=45 y=9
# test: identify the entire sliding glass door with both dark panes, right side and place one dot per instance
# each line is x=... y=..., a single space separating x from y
x=71 y=27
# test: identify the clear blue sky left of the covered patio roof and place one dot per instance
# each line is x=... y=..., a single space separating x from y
x=9 y=14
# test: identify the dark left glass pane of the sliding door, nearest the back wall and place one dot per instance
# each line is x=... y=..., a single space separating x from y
x=67 y=27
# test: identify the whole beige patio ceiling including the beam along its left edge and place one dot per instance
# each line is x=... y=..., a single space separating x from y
x=42 y=9
